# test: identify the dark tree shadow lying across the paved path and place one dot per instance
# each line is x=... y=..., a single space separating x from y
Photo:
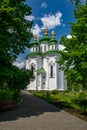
x=31 y=106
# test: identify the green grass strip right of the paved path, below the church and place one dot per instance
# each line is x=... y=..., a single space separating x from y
x=73 y=102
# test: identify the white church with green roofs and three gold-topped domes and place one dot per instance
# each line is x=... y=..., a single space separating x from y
x=42 y=61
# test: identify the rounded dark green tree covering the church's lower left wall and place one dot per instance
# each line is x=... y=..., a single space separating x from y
x=18 y=79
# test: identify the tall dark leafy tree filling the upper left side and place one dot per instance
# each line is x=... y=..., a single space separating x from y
x=14 y=34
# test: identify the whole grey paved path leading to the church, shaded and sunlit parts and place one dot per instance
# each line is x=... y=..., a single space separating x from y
x=36 y=114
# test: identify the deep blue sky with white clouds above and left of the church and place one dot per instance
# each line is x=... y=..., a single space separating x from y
x=53 y=14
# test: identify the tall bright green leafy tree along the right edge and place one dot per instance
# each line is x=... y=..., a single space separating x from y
x=74 y=57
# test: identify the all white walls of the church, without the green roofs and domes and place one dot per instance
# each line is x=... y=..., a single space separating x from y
x=57 y=82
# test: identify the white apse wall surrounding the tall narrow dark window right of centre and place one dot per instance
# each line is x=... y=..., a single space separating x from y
x=51 y=83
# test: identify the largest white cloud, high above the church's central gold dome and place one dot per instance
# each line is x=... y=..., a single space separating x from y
x=51 y=21
